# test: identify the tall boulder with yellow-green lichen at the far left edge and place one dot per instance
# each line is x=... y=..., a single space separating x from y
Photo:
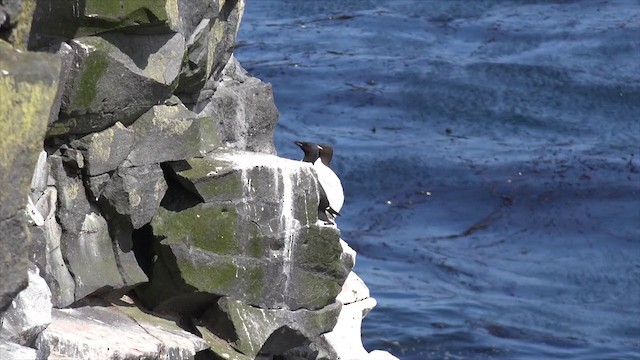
x=28 y=84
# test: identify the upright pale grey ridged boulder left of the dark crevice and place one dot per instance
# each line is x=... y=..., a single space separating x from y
x=86 y=242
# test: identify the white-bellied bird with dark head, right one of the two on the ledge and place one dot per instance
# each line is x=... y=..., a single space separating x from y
x=329 y=180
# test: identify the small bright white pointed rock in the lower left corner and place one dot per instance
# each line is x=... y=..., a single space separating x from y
x=29 y=313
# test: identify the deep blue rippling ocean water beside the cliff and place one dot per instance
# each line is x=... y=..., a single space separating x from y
x=490 y=155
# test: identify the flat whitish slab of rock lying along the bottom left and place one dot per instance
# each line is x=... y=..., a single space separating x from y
x=122 y=332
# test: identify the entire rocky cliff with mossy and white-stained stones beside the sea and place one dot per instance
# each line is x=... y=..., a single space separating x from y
x=144 y=213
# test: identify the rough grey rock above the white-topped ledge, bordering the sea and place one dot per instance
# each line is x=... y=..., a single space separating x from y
x=244 y=108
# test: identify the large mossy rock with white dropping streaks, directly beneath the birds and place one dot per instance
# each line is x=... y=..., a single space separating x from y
x=255 y=237
